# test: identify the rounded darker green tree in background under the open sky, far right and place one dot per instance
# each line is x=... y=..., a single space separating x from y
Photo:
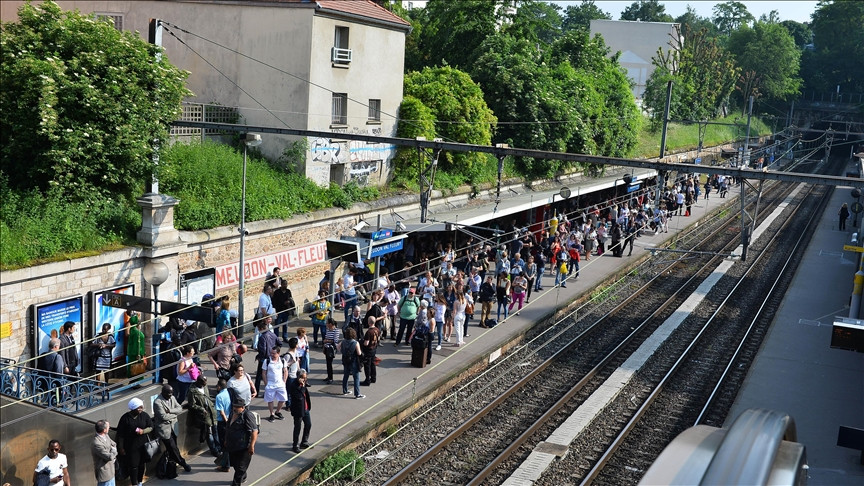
x=768 y=51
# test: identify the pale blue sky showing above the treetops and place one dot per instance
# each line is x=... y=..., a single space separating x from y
x=798 y=11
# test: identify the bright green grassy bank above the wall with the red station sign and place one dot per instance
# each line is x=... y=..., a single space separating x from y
x=207 y=179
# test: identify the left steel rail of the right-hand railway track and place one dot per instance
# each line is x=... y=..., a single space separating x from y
x=643 y=409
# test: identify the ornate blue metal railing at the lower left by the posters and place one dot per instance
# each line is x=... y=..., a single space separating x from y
x=59 y=391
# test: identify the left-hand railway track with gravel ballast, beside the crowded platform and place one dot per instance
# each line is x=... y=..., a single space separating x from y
x=482 y=430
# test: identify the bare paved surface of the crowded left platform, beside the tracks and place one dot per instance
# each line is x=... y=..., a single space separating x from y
x=339 y=421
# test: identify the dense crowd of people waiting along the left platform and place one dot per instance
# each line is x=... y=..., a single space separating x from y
x=426 y=305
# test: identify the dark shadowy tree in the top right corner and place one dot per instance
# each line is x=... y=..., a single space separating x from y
x=838 y=47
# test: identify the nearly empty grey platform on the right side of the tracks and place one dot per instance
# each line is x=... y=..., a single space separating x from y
x=797 y=372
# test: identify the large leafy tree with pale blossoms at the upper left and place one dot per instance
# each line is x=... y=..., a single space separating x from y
x=81 y=103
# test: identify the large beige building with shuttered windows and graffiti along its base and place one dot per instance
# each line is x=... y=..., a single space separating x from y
x=327 y=65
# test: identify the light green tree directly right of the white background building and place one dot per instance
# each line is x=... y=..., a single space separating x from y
x=703 y=75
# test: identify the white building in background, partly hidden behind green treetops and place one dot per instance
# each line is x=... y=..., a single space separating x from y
x=638 y=42
